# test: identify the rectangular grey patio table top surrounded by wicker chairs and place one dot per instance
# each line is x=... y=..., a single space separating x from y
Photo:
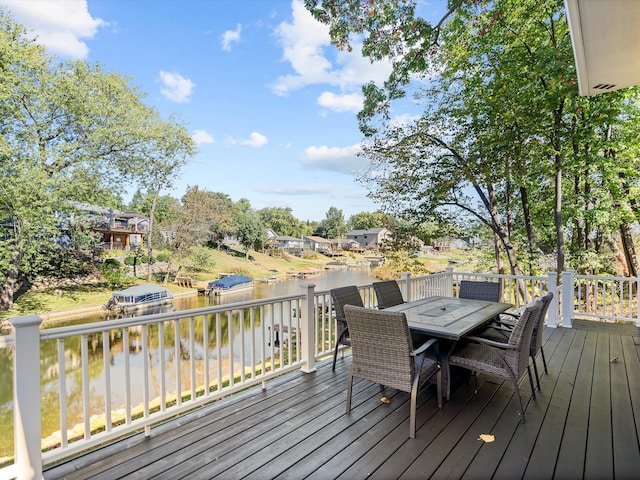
x=448 y=317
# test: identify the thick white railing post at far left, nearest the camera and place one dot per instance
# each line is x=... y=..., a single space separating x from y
x=26 y=397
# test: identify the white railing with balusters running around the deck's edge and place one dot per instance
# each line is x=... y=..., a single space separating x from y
x=173 y=362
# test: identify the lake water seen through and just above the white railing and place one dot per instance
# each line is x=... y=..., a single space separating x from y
x=168 y=350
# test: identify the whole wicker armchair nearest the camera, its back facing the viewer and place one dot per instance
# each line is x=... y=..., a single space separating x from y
x=382 y=352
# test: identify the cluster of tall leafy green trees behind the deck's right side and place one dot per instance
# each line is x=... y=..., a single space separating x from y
x=541 y=179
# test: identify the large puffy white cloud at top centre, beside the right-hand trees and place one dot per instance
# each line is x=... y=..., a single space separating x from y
x=304 y=42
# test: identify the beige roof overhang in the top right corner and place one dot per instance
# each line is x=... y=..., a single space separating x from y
x=606 y=43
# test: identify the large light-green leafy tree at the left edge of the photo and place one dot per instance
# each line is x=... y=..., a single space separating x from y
x=63 y=125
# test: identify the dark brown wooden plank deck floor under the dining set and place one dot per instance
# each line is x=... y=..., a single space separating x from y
x=584 y=423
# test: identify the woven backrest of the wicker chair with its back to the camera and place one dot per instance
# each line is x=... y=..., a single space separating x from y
x=381 y=347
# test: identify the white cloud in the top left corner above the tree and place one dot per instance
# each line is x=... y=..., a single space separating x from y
x=60 y=26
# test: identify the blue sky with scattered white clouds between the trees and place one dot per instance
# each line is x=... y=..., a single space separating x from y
x=270 y=103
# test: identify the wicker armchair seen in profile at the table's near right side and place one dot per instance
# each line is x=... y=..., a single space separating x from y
x=506 y=360
